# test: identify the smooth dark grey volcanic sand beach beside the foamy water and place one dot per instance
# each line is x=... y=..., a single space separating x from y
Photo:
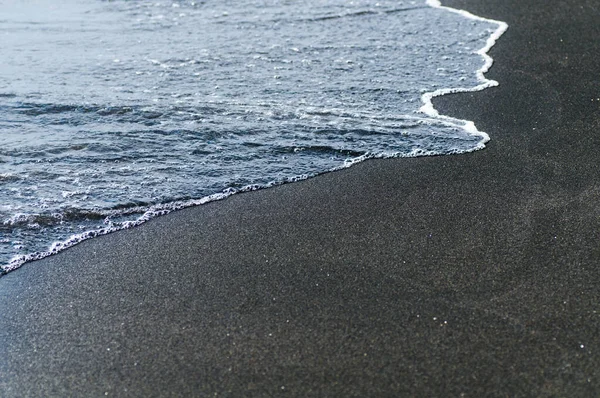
x=474 y=274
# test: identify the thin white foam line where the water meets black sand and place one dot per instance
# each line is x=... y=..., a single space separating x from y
x=427 y=108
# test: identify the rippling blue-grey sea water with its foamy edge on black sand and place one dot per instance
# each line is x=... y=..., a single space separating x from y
x=113 y=112
